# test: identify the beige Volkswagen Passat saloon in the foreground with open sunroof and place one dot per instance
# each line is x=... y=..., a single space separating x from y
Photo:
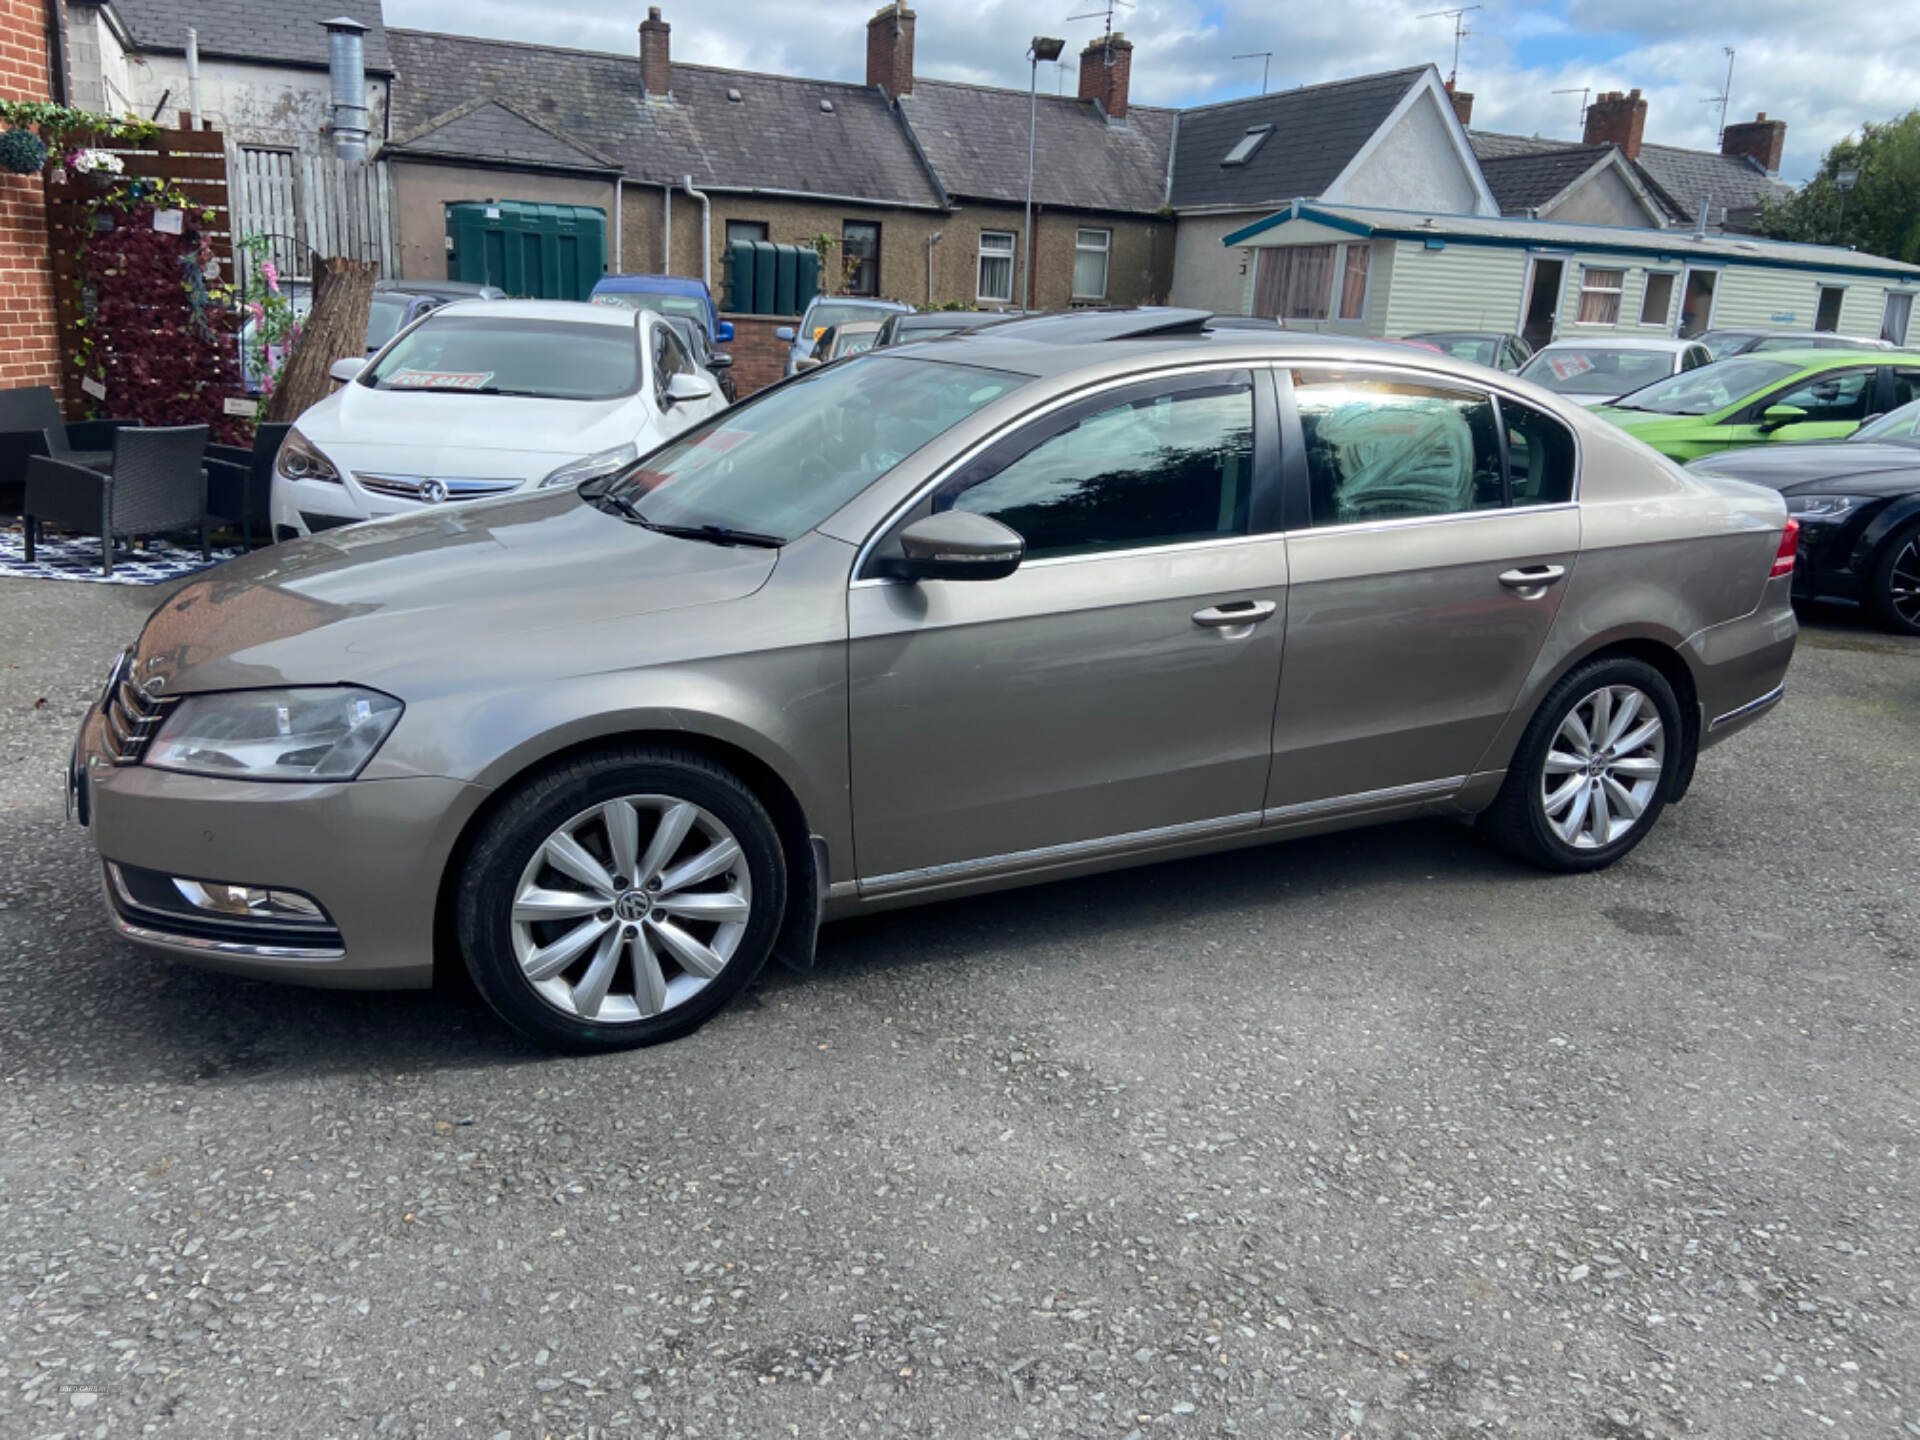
x=1051 y=598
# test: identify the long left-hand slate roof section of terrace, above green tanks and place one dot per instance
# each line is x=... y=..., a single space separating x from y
x=775 y=137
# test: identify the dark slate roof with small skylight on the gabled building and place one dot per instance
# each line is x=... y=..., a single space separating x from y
x=1316 y=132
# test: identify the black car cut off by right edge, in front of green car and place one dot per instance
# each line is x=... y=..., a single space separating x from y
x=1860 y=508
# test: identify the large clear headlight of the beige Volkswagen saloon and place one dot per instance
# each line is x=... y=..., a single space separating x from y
x=276 y=734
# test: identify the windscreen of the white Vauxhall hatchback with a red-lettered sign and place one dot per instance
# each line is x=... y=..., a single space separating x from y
x=500 y=356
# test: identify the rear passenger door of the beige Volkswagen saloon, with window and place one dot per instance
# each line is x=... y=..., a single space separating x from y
x=1422 y=592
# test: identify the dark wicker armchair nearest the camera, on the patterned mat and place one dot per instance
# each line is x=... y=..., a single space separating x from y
x=158 y=489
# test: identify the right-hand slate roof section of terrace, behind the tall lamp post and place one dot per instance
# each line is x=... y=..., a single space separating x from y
x=976 y=141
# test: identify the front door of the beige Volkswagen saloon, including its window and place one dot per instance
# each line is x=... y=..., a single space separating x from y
x=1118 y=688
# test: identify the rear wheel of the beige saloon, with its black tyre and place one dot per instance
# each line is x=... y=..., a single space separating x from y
x=1593 y=771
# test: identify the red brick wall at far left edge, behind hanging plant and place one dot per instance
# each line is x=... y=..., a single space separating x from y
x=28 y=348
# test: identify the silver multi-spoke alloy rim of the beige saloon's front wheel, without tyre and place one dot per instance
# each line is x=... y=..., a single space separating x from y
x=631 y=909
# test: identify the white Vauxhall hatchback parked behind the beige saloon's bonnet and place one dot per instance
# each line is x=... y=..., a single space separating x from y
x=489 y=396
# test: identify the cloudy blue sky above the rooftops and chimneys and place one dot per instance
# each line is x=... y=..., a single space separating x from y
x=1794 y=60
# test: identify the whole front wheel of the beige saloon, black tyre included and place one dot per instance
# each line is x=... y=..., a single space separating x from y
x=621 y=900
